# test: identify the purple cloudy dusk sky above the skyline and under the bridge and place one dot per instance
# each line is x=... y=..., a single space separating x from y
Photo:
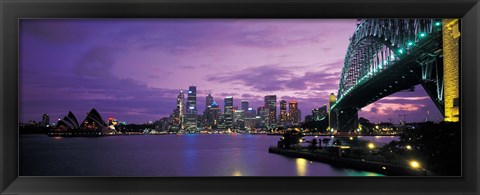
x=133 y=69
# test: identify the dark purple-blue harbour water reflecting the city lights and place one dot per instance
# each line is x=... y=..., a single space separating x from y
x=168 y=155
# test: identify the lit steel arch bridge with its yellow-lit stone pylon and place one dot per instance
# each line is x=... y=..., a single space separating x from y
x=386 y=56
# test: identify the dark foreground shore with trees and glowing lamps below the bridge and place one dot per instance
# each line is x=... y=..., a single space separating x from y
x=428 y=149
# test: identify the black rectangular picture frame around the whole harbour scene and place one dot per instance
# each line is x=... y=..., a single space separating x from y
x=467 y=10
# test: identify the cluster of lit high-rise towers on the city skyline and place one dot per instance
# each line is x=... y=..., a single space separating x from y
x=266 y=117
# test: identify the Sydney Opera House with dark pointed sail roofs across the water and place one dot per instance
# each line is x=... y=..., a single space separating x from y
x=93 y=125
